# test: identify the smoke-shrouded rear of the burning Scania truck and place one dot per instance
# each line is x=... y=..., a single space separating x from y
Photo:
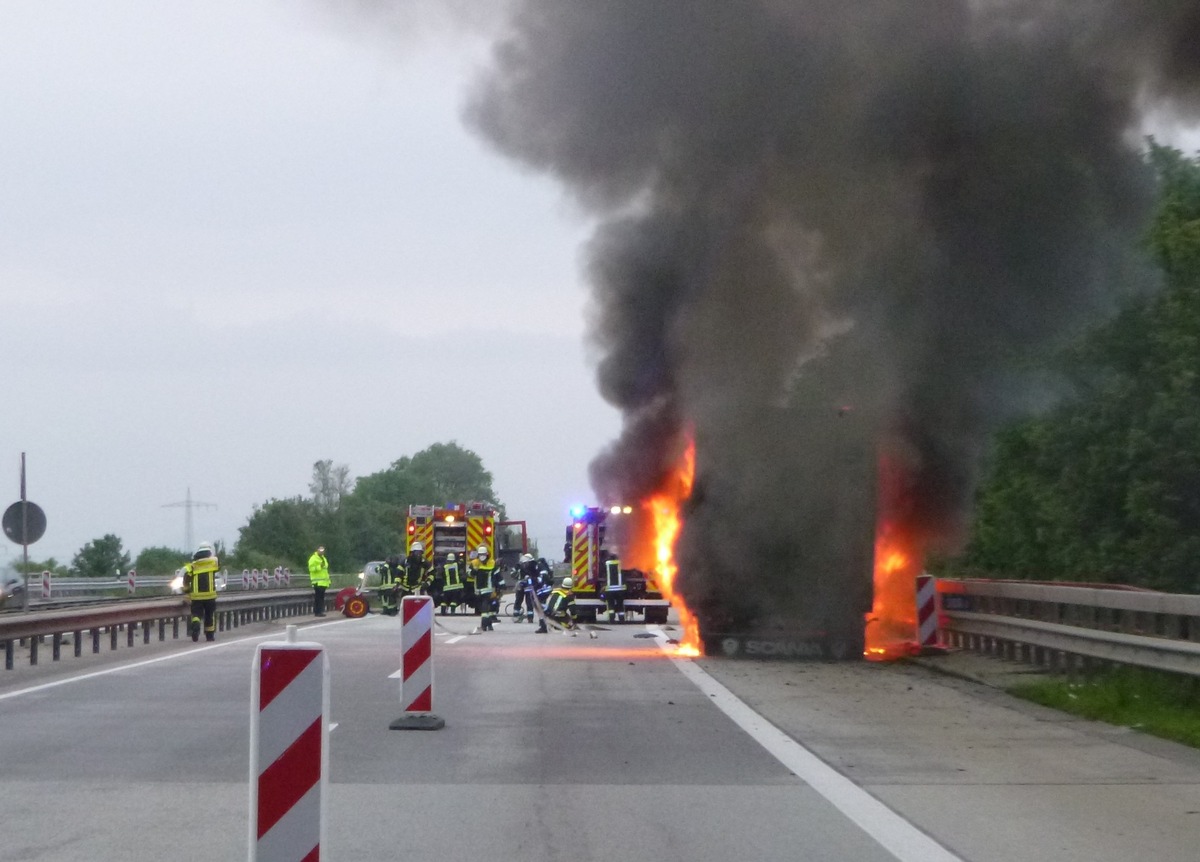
x=802 y=585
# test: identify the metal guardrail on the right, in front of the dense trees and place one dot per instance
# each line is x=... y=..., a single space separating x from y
x=1071 y=627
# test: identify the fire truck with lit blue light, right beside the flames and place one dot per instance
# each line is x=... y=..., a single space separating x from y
x=593 y=530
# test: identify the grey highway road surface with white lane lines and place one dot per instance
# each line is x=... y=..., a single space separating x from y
x=573 y=749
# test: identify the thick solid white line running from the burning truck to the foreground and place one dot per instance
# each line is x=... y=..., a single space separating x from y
x=896 y=835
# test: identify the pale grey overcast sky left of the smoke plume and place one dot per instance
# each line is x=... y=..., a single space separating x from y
x=243 y=236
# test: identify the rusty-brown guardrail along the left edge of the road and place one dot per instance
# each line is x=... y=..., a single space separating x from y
x=159 y=616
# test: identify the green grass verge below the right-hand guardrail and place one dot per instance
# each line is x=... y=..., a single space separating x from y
x=1166 y=705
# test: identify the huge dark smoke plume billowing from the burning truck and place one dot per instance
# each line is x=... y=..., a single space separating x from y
x=830 y=225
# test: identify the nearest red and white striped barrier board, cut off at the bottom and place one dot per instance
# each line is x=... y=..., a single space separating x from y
x=289 y=752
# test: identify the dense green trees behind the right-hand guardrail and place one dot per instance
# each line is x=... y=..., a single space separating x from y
x=1107 y=488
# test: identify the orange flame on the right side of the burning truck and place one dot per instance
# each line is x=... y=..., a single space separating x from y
x=892 y=626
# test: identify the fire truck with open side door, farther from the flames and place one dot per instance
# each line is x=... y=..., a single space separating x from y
x=460 y=529
